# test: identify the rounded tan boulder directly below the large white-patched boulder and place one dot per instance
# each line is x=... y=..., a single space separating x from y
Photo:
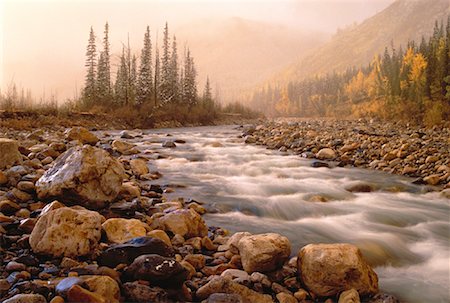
x=69 y=232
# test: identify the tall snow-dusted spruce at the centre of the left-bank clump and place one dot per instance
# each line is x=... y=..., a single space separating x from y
x=144 y=86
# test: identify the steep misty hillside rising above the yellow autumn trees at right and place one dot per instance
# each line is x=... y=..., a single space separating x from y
x=402 y=21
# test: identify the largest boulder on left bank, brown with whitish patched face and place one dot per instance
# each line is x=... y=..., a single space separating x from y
x=83 y=175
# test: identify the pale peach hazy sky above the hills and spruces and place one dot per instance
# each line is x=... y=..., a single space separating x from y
x=43 y=42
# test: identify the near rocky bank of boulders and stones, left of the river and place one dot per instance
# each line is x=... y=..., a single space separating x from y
x=79 y=222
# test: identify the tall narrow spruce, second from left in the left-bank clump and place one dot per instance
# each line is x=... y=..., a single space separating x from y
x=104 y=71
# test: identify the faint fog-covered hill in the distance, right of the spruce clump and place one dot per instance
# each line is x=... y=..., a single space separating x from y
x=238 y=53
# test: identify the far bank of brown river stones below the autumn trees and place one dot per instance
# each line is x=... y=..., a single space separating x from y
x=420 y=153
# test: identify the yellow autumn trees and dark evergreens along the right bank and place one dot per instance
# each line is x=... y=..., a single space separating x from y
x=411 y=84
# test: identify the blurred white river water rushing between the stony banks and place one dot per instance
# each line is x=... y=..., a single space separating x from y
x=403 y=231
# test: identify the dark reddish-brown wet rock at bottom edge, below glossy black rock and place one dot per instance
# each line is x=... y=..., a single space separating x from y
x=136 y=292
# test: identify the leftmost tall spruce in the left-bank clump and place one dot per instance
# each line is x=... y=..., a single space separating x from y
x=89 y=92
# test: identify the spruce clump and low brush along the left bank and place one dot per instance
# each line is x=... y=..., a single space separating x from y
x=160 y=87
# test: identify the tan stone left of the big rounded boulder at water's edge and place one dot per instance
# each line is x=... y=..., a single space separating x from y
x=263 y=252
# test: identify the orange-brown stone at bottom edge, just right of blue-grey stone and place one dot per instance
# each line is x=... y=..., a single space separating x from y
x=104 y=286
